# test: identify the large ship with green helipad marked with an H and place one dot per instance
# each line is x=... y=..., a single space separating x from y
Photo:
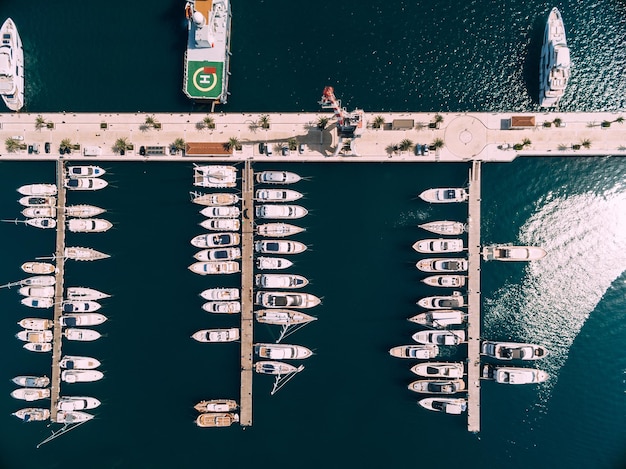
x=207 y=58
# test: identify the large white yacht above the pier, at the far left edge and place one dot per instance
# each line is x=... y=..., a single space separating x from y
x=11 y=66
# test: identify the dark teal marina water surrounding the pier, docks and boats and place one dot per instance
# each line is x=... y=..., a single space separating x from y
x=350 y=407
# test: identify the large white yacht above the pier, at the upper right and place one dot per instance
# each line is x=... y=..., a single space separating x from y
x=554 y=68
